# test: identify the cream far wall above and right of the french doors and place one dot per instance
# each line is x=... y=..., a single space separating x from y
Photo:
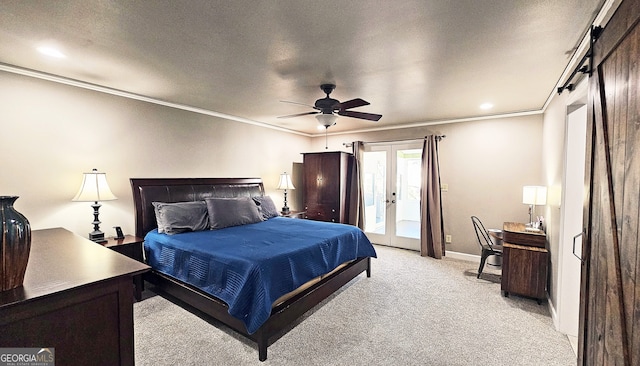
x=484 y=162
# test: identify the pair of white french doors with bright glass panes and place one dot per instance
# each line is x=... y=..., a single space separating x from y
x=391 y=186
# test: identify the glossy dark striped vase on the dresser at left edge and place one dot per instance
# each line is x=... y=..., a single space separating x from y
x=15 y=244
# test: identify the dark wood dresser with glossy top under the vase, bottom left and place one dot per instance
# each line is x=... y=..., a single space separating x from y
x=77 y=297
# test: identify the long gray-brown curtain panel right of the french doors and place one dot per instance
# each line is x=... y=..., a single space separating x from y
x=432 y=228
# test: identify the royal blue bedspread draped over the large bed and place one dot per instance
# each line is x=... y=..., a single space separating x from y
x=250 y=266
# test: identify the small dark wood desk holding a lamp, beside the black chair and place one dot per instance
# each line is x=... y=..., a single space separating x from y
x=525 y=261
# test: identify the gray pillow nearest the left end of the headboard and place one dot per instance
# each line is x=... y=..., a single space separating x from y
x=174 y=218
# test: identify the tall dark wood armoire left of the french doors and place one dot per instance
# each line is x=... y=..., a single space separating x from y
x=327 y=183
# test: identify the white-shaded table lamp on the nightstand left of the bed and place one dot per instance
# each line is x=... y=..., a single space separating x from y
x=94 y=188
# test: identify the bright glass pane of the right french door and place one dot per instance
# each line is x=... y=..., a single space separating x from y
x=408 y=167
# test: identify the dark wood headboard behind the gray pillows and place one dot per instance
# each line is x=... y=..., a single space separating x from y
x=148 y=190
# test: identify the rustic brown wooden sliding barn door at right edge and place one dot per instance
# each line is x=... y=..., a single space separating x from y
x=610 y=294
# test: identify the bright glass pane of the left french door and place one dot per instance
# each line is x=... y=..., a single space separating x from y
x=374 y=188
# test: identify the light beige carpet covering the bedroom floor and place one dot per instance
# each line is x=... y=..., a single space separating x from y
x=412 y=311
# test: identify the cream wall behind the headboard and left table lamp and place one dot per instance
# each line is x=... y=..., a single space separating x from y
x=52 y=133
